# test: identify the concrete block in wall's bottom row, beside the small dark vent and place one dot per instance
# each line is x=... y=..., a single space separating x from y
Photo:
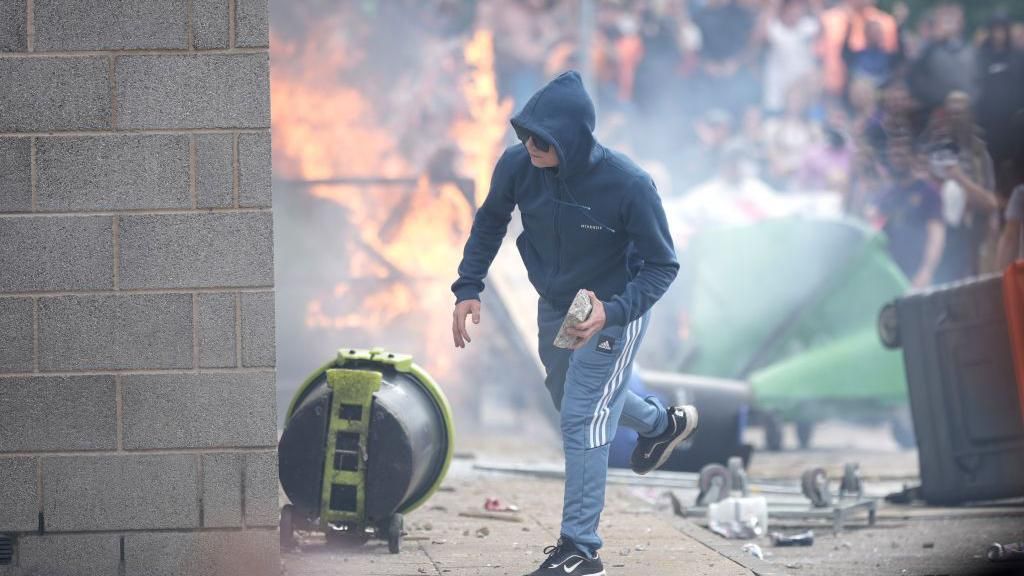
x=68 y=555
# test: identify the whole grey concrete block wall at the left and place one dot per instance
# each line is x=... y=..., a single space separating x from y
x=137 y=300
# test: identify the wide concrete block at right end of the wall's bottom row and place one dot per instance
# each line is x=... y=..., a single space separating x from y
x=250 y=553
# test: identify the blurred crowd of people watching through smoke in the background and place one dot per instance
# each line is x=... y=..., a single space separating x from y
x=906 y=120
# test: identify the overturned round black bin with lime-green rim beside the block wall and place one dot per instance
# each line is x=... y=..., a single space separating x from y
x=368 y=438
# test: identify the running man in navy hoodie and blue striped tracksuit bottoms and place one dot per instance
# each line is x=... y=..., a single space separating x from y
x=592 y=220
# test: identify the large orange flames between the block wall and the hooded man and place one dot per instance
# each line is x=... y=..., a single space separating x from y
x=402 y=242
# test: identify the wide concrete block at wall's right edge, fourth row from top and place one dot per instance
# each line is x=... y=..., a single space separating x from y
x=204 y=251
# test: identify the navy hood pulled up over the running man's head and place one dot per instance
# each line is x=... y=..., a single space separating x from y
x=563 y=114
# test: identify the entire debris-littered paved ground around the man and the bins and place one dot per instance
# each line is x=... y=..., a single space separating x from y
x=644 y=538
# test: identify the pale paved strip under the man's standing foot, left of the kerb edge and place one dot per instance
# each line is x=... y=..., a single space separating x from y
x=638 y=541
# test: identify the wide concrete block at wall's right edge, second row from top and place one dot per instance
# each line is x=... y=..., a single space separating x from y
x=194 y=92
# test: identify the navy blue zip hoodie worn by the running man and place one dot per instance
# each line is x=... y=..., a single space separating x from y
x=594 y=222
